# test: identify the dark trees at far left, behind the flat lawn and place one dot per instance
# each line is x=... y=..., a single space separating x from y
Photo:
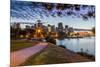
x=17 y=31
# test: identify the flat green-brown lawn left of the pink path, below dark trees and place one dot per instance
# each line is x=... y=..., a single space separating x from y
x=20 y=44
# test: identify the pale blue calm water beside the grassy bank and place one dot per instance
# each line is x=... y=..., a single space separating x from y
x=87 y=44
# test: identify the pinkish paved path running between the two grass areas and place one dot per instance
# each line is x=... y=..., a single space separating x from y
x=20 y=56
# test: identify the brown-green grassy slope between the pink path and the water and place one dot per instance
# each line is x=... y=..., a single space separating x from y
x=53 y=55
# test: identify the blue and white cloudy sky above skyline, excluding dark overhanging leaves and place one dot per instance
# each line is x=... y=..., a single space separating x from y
x=22 y=11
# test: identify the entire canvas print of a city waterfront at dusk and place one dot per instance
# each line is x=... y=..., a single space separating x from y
x=51 y=33
